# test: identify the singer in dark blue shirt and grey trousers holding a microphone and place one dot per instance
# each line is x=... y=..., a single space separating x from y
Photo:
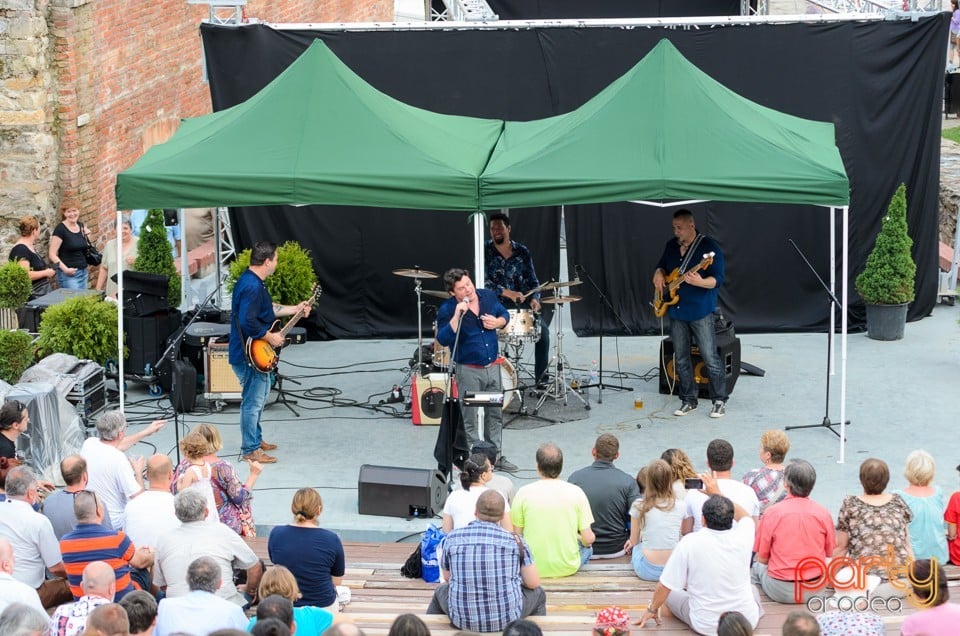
x=468 y=323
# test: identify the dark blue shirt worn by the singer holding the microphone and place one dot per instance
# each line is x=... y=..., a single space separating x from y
x=477 y=345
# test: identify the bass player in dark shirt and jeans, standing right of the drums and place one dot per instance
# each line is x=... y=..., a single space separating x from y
x=692 y=318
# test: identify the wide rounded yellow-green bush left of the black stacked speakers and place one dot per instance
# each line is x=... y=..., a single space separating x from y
x=83 y=326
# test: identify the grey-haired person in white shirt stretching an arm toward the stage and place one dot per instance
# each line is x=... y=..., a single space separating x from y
x=114 y=476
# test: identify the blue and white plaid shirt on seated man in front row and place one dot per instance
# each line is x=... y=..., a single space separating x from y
x=484 y=564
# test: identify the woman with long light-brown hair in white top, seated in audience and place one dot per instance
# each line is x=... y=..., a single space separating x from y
x=654 y=522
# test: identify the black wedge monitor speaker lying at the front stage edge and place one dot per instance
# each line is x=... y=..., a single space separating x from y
x=400 y=492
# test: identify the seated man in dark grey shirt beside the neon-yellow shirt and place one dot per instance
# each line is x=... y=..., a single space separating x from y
x=610 y=492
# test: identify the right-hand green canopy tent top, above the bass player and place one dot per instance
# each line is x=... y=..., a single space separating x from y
x=665 y=130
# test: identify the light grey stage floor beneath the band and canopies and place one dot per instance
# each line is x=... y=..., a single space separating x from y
x=899 y=398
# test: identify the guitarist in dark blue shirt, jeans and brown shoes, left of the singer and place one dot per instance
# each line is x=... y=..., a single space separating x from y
x=253 y=314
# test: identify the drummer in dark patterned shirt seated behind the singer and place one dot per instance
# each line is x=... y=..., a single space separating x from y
x=511 y=275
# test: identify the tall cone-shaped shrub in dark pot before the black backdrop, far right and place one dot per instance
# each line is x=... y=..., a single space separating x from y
x=886 y=283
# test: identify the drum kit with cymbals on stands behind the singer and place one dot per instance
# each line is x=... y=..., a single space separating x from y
x=521 y=330
